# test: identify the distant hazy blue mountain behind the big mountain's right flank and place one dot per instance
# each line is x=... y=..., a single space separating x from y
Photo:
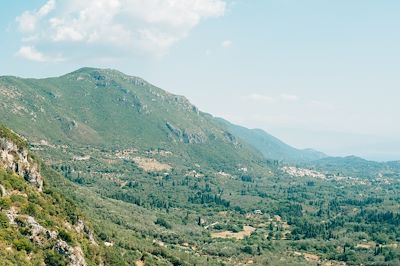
x=270 y=146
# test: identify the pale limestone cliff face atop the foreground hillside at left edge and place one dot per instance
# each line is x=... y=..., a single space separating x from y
x=18 y=160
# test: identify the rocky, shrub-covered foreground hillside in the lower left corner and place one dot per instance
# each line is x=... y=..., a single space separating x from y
x=37 y=224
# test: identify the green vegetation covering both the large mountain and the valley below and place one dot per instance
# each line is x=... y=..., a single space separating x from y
x=166 y=184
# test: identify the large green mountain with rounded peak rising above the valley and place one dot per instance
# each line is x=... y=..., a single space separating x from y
x=105 y=107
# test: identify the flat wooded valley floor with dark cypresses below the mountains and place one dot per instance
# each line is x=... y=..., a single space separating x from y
x=349 y=221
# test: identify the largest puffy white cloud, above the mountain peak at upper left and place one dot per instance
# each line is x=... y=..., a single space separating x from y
x=151 y=25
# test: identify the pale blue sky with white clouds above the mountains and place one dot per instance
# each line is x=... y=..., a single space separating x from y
x=315 y=73
